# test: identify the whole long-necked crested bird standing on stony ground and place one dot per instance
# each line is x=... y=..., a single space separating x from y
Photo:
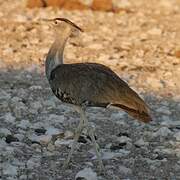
x=83 y=85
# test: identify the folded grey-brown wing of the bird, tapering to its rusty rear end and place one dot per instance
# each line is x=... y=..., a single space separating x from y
x=98 y=84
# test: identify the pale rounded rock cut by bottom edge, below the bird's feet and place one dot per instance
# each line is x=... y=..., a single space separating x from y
x=87 y=174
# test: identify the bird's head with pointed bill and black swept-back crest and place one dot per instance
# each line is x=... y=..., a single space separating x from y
x=64 y=26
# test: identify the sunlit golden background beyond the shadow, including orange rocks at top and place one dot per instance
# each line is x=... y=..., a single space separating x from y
x=140 y=40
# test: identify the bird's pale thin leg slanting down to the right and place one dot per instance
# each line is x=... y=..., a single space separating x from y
x=91 y=134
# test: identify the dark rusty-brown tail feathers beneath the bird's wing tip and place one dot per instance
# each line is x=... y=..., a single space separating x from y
x=142 y=115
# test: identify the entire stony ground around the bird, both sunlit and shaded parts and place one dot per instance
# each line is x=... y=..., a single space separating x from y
x=142 y=44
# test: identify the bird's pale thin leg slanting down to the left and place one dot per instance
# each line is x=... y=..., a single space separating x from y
x=76 y=137
